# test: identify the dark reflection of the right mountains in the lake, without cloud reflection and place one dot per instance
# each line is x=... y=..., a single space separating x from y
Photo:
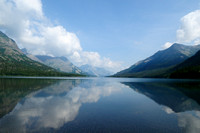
x=177 y=96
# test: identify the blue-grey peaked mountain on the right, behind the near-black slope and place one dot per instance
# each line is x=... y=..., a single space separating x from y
x=160 y=64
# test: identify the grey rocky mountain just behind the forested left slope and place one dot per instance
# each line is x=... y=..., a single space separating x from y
x=59 y=63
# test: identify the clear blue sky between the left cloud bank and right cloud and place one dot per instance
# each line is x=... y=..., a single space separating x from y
x=123 y=30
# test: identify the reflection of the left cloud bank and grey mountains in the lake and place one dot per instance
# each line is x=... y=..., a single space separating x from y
x=53 y=106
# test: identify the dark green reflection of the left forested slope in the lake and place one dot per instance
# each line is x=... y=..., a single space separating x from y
x=12 y=90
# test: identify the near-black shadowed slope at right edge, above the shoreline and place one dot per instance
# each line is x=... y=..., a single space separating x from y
x=190 y=68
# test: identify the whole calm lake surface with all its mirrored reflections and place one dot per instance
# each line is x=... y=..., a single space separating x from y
x=98 y=105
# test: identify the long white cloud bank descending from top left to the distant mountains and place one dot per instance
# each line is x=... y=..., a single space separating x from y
x=26 y=23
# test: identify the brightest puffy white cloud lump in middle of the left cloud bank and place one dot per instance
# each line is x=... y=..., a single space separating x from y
x=54 y=41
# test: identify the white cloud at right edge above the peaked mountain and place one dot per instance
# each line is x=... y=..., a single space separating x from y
x=189 y=31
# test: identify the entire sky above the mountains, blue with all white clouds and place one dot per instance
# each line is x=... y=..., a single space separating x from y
x=113 y=34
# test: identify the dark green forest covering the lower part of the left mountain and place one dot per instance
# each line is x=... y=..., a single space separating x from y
x=24 y=66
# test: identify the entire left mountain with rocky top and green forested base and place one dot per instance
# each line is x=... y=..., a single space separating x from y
x=14 y=62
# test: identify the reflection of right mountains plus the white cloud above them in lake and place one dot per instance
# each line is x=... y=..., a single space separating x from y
x=181 y=98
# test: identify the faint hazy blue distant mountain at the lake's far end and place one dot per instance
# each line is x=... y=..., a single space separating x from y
x=95 y=71
